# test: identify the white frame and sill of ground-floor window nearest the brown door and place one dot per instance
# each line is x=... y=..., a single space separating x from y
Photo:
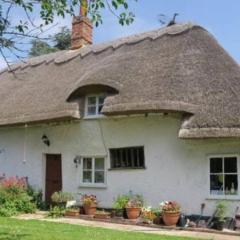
x=93 y=184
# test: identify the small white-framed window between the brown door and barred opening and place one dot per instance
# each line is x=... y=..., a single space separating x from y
x=93 y=171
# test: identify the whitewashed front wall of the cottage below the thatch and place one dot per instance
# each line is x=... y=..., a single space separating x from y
x=175 y=169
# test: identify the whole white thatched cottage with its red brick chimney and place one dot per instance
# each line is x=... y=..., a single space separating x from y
x=157 y=113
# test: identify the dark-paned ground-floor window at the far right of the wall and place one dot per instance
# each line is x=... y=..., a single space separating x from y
x=224 y=175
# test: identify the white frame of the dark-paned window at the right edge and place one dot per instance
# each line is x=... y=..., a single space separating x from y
x=224 y=196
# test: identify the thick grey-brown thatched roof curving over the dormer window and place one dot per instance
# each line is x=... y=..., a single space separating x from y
x=181 y=68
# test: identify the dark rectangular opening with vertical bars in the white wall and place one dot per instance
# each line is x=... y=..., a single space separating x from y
x=130 y=157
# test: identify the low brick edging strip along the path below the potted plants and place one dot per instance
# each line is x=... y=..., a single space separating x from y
x=155 y=226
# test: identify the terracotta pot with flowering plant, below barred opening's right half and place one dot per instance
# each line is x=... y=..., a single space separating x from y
x=134 y=206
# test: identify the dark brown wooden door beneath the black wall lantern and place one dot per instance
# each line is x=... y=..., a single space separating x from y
x=53 y=175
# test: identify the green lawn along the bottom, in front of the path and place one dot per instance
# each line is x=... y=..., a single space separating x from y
x=11 y=229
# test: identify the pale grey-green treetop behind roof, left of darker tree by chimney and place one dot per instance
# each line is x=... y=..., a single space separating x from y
x=40 y=47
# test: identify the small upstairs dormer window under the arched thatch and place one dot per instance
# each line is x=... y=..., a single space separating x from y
x=94 y=105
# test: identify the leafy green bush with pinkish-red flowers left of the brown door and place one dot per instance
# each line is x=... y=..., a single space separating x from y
x=14 y=197
